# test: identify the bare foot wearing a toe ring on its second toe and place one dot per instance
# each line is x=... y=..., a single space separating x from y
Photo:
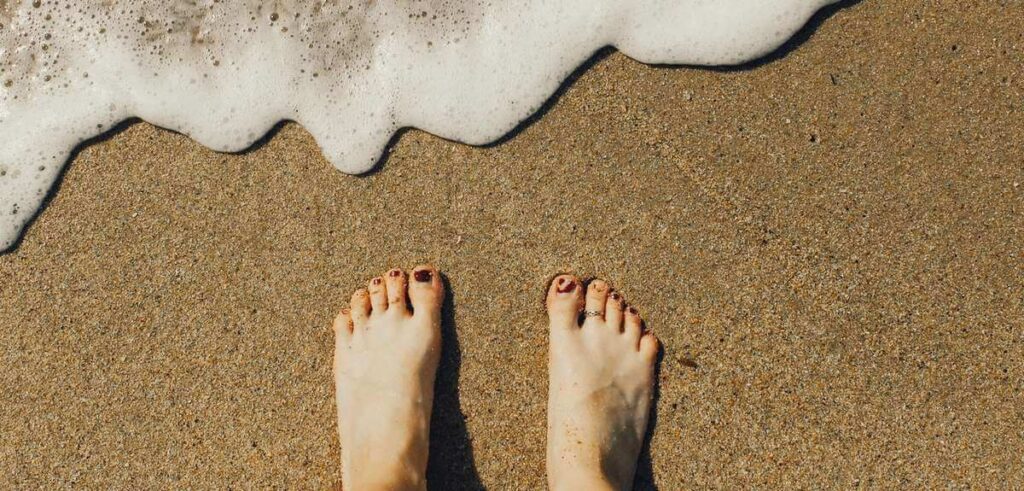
x=603 y=378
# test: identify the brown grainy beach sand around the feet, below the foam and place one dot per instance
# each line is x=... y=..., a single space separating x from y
x=829 y=245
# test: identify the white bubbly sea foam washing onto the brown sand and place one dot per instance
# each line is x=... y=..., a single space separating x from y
x=352 y=72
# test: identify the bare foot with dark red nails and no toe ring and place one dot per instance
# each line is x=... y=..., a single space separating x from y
x=388 y=346
